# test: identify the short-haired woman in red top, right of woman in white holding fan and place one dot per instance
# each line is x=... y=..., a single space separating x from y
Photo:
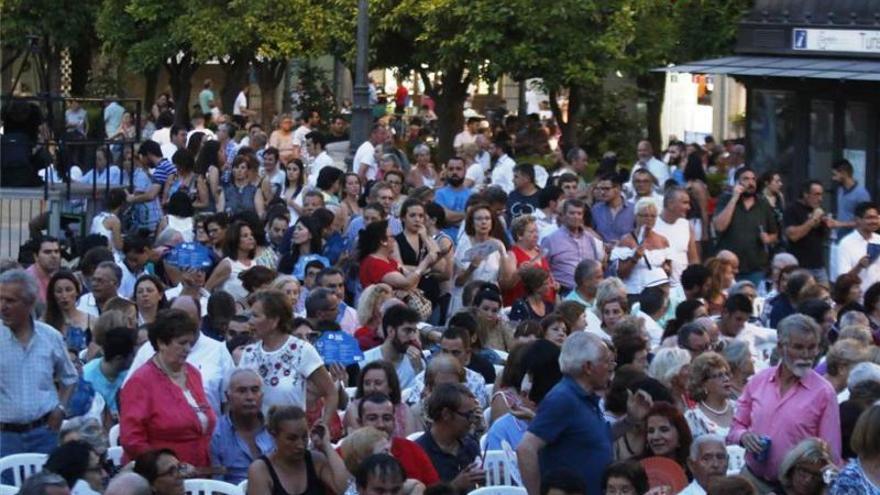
x=525 y=252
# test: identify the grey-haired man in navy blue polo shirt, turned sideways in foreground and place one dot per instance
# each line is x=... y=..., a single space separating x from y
x=569 y=430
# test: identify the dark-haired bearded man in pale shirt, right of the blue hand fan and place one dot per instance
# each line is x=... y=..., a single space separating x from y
x=401 y=346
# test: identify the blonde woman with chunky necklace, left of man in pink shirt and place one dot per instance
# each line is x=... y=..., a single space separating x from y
x=709 y=384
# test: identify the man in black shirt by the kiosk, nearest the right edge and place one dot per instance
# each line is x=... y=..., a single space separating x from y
x=807 y=229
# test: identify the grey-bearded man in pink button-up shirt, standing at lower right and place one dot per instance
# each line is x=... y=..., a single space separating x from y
x=786 y=403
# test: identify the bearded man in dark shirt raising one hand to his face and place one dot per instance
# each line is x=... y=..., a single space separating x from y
x=746 y=226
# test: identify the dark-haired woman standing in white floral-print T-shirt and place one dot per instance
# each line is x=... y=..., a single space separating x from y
x=285 y=362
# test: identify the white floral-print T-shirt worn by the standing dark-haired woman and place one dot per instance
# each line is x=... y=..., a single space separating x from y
x=285 y=371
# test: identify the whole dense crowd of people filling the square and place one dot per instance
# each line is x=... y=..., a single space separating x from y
x=593 y=324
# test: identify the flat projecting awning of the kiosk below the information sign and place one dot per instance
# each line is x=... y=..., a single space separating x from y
x=796 y=67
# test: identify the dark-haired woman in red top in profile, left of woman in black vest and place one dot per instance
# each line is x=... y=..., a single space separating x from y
x=377 y=248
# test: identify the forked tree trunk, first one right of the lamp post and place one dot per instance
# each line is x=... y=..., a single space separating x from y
x=449 y=99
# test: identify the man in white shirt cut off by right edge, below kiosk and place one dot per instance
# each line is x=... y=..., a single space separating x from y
x=853 y=255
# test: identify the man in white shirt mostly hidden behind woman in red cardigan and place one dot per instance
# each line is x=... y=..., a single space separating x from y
x=209 y=356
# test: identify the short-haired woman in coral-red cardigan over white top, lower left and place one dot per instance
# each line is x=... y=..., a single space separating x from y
x=163 y=405
